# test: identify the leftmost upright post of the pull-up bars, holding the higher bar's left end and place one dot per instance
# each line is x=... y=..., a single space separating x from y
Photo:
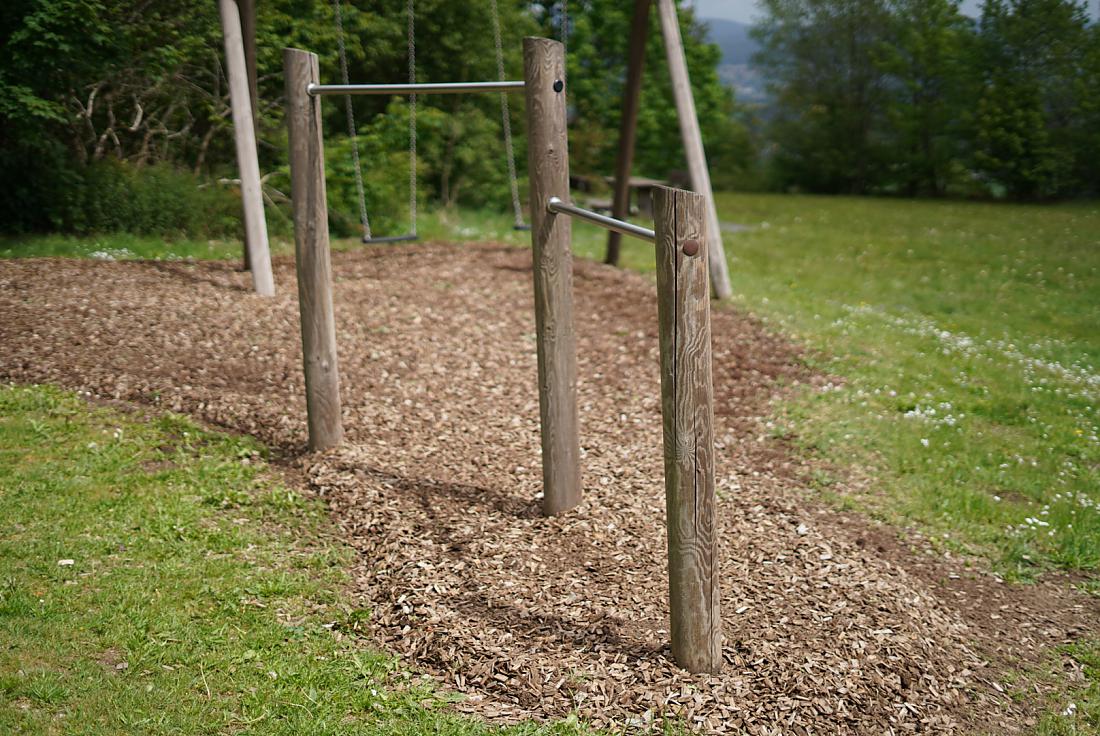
x=312 y=251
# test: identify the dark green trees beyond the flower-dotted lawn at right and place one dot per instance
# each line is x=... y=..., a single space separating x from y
x=911 y=97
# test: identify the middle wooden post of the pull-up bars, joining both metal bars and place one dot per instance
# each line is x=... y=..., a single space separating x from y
x=552 y=236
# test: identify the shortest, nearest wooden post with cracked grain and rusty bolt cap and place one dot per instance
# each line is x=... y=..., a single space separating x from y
x=688 y=418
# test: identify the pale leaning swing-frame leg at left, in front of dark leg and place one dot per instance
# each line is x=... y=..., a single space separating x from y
x=256 y=227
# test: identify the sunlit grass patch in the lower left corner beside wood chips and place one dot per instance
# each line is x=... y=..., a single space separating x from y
x=157 y=580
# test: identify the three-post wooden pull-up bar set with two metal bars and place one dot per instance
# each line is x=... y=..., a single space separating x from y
x=683 y=237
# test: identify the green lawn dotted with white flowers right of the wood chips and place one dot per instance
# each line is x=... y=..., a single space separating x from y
x=966 y=339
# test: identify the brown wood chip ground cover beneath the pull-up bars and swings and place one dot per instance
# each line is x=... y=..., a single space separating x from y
x=828 y=630
